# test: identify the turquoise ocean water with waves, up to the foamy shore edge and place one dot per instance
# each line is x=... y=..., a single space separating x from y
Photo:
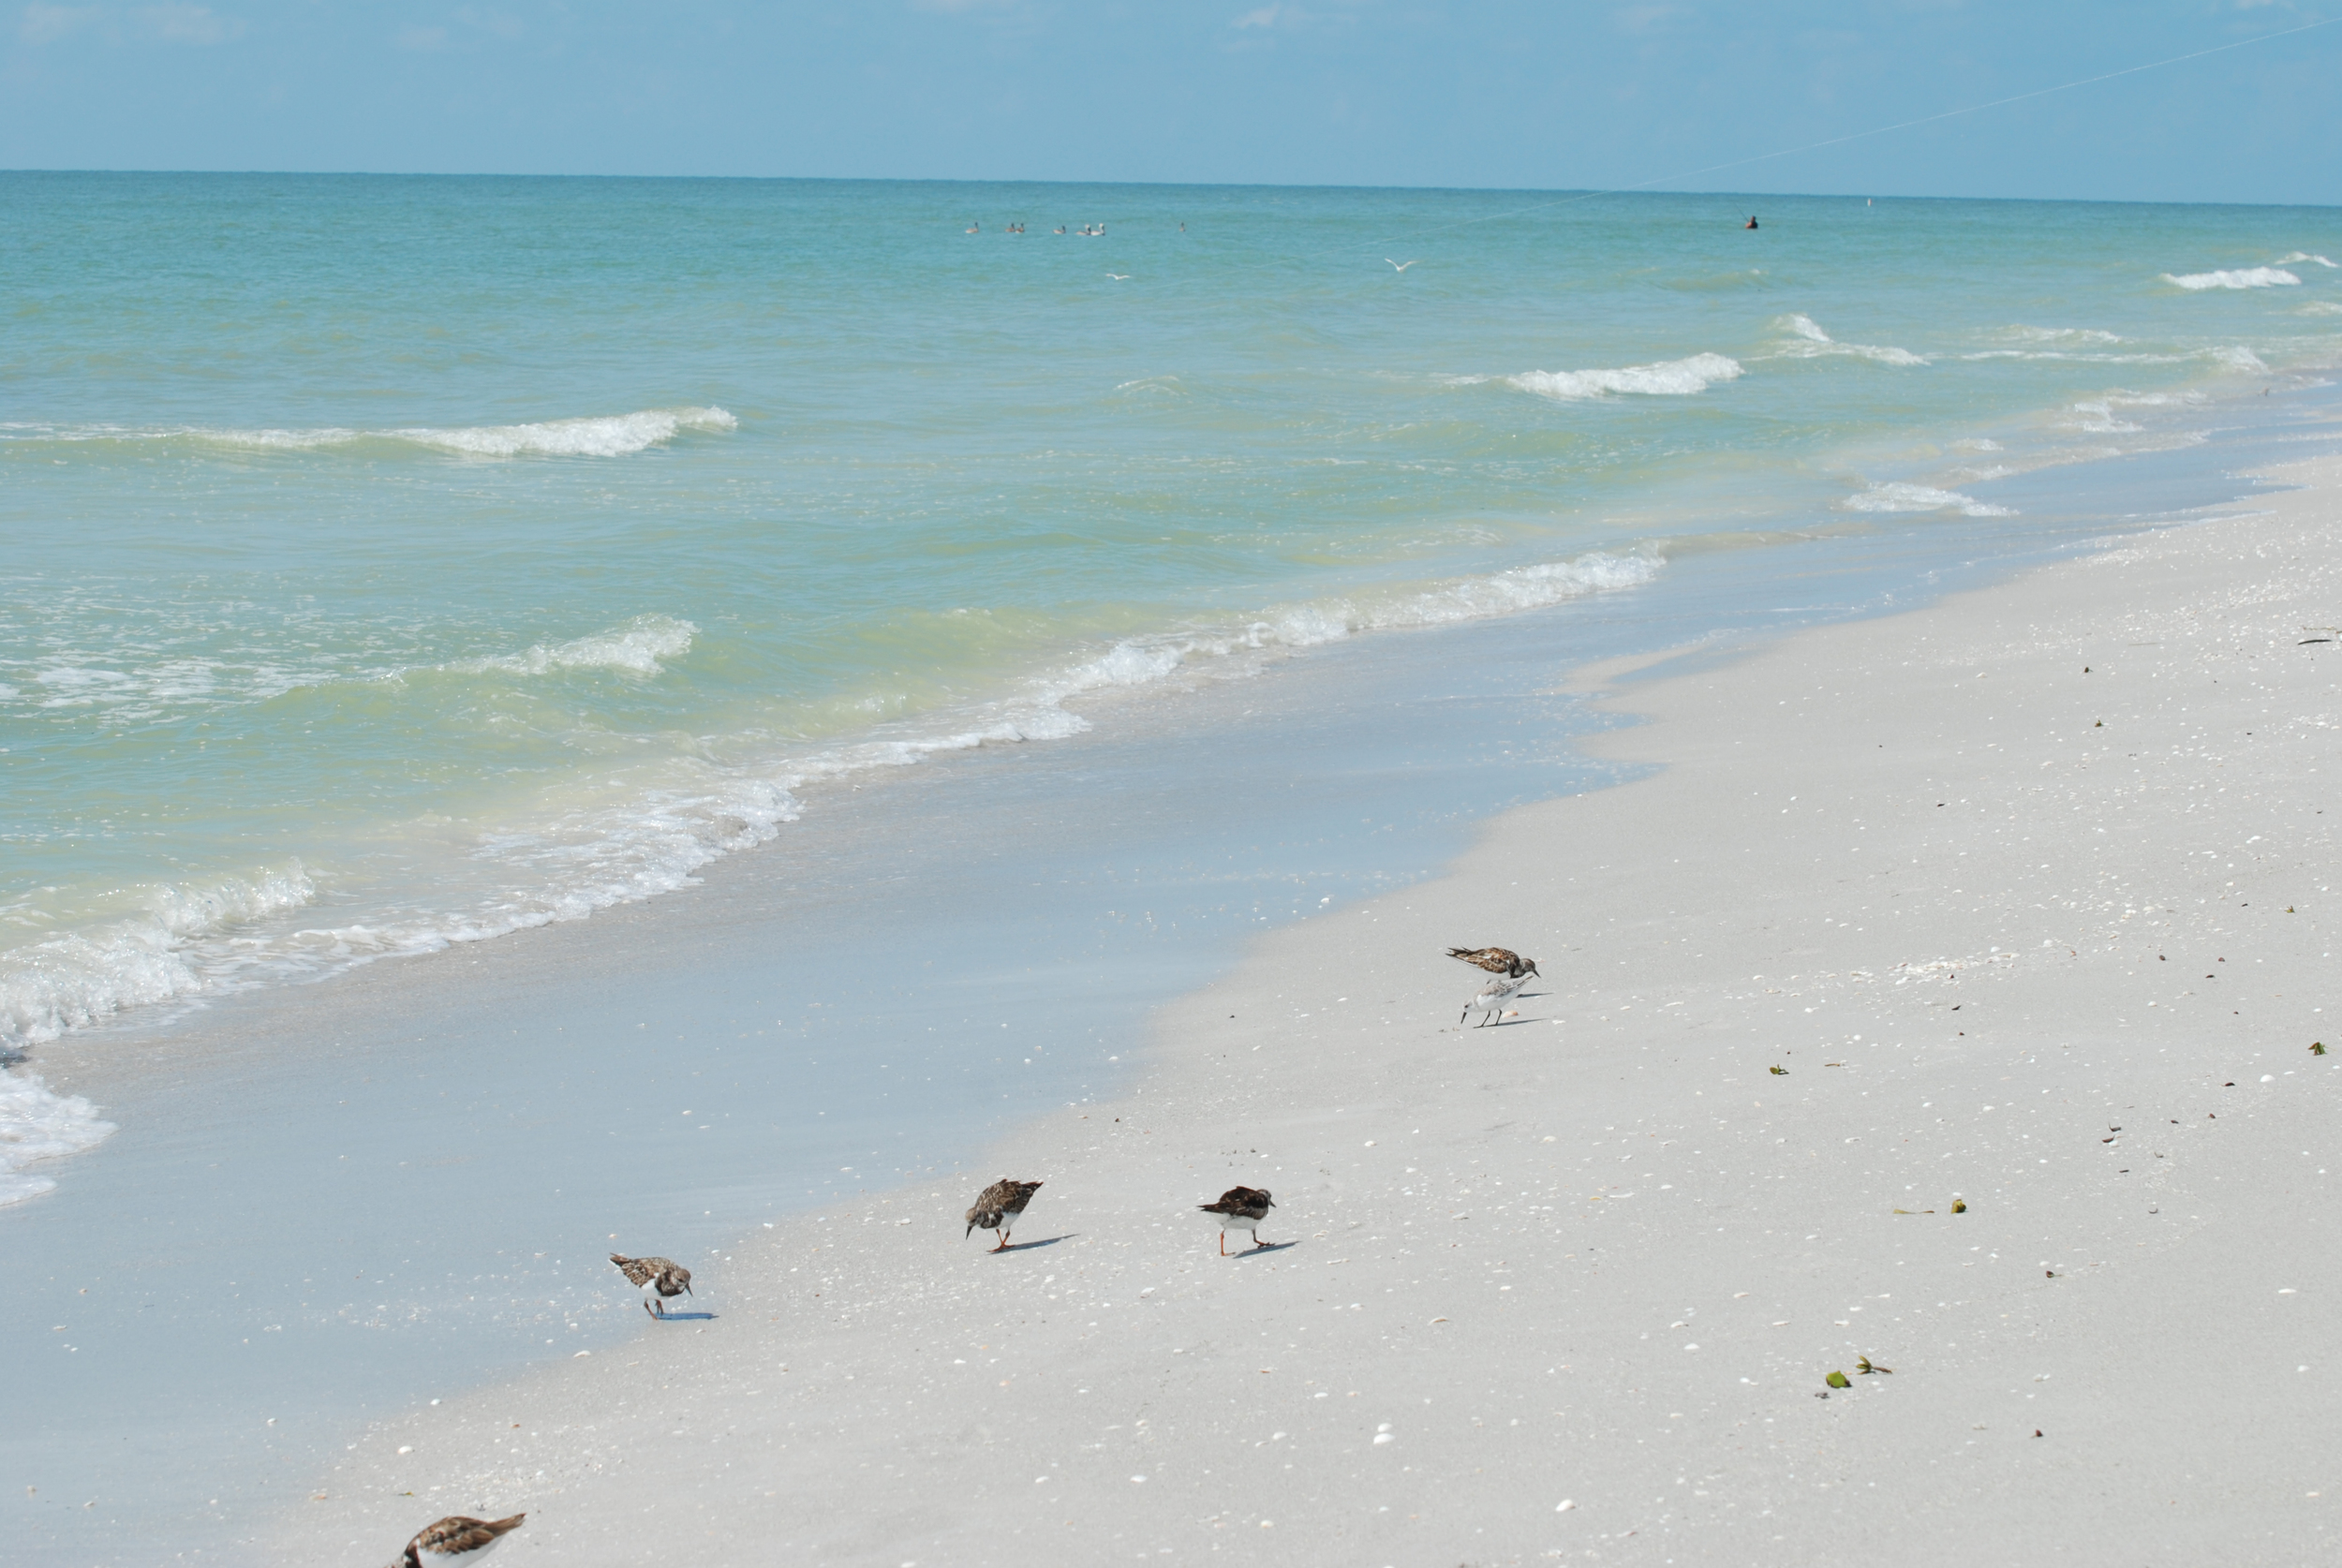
x=390 y=563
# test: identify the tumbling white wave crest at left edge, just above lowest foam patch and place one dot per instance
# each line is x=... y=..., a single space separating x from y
x=160 y=954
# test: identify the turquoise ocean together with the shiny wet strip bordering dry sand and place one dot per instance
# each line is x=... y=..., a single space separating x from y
x=989 y=628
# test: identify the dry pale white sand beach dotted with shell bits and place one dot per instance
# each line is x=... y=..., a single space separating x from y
x=2041 y=940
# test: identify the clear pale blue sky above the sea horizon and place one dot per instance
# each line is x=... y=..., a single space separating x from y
x=1509 y=95
